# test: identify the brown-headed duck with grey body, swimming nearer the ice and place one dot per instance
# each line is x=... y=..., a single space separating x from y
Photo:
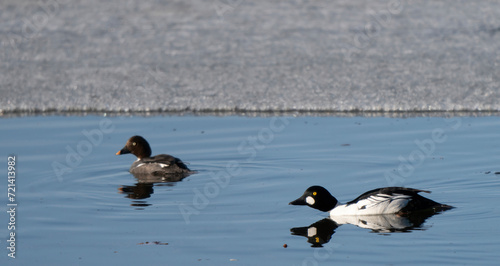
x=159 y=165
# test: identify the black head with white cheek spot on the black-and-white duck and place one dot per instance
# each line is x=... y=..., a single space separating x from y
x=317 y=197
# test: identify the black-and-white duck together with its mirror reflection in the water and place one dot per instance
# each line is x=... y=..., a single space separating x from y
x=390 y=209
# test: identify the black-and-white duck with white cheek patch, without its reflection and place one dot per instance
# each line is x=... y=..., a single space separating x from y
x=389 y=200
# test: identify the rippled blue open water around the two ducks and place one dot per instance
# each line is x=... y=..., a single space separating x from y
x=78 y=205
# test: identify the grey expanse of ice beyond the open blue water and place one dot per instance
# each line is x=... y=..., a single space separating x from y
x=229 y=55
